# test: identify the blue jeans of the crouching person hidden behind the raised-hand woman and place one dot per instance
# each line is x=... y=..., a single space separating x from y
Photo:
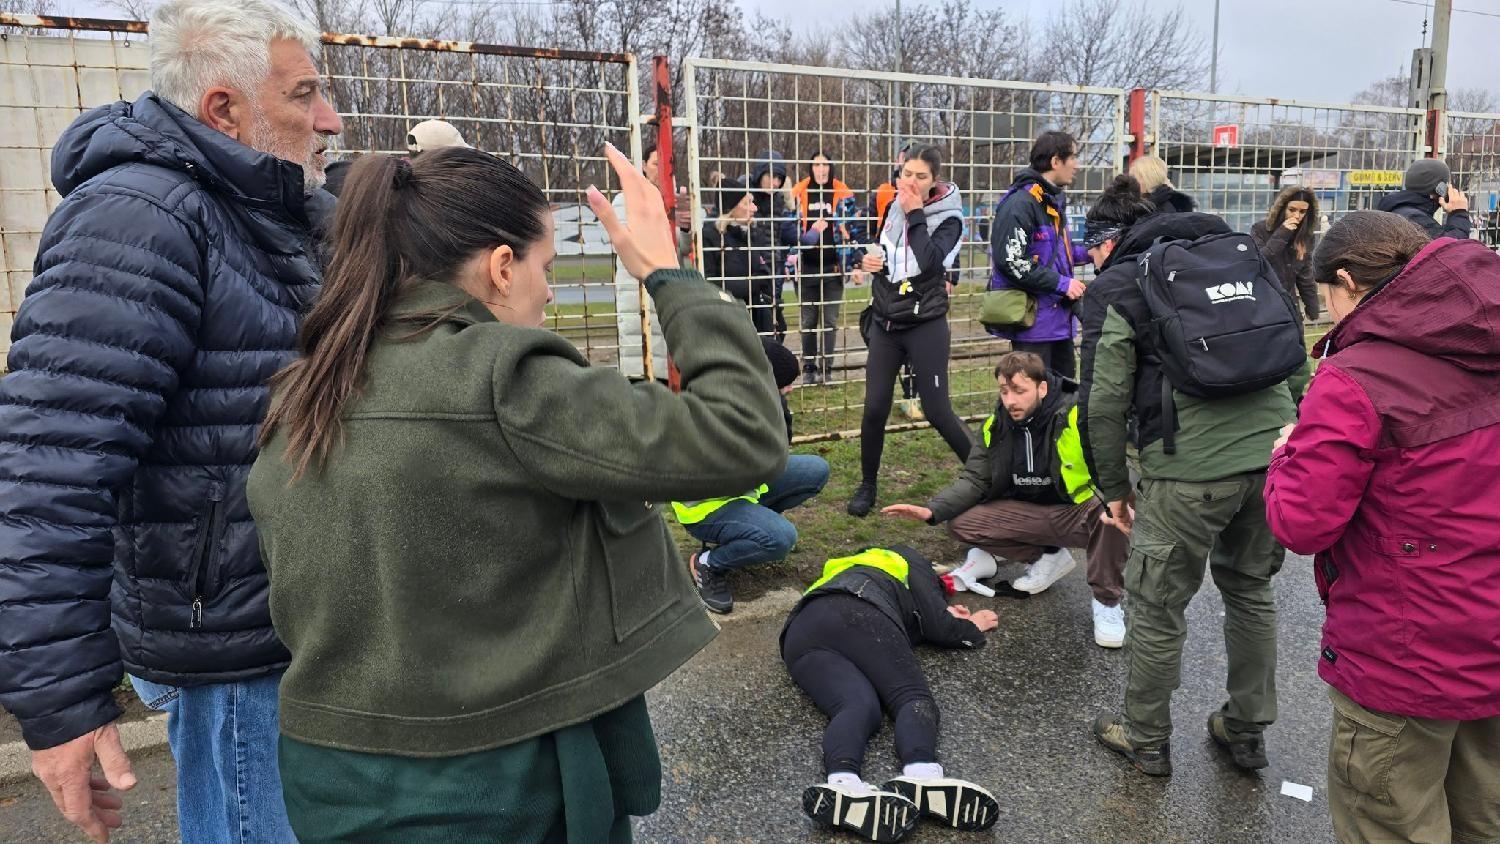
x=748 y=534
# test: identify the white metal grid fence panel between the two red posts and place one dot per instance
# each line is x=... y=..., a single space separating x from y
x=985 y=130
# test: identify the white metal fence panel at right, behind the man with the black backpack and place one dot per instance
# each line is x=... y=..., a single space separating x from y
x=1234 y=155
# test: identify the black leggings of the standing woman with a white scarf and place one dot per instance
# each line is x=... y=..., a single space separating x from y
x=926 y=347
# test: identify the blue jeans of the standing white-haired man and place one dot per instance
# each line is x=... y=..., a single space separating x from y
x=224 y=741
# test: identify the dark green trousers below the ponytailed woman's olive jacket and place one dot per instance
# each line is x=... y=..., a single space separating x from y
x=574 y=786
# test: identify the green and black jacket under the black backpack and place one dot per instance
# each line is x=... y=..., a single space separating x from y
x=1121 y=398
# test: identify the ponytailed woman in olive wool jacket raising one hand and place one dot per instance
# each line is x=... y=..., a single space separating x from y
x=457 y=512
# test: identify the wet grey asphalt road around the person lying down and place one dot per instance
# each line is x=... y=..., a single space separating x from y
x=740 y=743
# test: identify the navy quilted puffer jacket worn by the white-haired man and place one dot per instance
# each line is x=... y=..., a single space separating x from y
x=169 y=289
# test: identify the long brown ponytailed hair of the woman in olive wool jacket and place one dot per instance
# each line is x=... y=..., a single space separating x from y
x=398 y=221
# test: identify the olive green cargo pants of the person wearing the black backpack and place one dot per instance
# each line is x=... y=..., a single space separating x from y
x=1180 y=525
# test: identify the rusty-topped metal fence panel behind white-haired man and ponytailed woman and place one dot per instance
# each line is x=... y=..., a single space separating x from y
x=550 y=112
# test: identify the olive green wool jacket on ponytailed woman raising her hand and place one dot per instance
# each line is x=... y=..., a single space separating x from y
x=484 y=560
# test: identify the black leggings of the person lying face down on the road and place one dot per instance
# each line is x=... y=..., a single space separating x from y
x=851 y=660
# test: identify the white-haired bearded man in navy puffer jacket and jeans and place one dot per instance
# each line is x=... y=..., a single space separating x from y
x=170 y=284
